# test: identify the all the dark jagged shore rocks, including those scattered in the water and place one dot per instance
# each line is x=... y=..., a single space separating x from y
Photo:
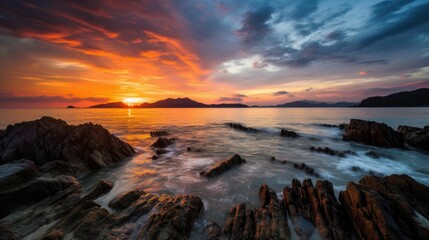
x=41 y=198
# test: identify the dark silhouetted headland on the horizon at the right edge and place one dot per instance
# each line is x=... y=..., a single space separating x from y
x=416 y=98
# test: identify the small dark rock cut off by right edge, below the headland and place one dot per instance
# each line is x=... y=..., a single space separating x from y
x=416 y=137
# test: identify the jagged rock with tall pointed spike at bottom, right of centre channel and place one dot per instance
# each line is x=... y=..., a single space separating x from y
x=267 y=222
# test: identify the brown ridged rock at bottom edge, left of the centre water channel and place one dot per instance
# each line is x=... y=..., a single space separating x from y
x=174 y=219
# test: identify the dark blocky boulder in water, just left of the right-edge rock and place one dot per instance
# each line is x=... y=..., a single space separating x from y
x=373 y=133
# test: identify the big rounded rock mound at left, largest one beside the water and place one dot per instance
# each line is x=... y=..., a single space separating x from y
x=83 y=147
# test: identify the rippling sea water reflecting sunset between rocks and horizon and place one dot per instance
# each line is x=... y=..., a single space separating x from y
x=205 y=130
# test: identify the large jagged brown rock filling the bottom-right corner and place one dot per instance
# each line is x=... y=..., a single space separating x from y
x=387 y=208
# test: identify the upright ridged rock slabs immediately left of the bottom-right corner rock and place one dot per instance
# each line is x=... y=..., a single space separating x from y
x=309 y=206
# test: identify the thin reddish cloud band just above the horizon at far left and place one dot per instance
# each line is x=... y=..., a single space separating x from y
x=48 y=99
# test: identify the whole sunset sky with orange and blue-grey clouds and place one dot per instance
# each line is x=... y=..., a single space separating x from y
x=57 y=53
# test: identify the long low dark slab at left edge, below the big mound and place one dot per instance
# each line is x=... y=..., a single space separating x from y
x=34 y=191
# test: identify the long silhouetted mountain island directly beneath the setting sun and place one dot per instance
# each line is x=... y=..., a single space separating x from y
x=172 y=103
